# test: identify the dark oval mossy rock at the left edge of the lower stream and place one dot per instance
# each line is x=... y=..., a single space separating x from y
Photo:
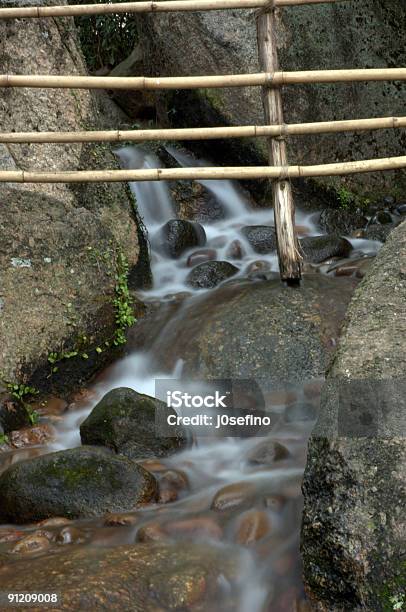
x=76 y=483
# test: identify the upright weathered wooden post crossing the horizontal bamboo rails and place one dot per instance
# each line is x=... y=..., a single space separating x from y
x=283 y=204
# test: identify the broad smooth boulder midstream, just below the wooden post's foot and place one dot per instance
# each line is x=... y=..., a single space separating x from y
x=256 y=330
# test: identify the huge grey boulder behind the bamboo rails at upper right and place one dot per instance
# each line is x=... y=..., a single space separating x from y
x=339 y=35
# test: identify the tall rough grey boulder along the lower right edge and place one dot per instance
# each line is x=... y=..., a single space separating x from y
x=353 y=536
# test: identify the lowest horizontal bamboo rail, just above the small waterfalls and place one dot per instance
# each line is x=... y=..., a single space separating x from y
x=212 y=173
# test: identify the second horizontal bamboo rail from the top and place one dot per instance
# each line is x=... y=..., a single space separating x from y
x=264 y=79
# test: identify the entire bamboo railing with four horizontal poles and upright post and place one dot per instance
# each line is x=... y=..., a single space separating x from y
x=270 y=79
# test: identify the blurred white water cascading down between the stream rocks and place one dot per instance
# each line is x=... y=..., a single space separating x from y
x=211 y=463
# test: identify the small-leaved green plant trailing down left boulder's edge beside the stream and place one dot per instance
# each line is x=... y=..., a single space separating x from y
x=122 y=301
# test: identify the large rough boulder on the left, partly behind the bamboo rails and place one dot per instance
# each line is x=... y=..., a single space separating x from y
x=60 y=244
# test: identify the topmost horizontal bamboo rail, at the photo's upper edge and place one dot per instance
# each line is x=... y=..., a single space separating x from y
x=147 y=7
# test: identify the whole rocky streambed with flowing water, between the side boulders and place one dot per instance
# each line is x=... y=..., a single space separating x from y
x=99 y=509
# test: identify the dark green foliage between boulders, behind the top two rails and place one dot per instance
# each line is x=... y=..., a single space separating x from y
x=106 y=40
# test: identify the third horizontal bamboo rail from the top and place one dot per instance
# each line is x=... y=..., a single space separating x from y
x=206 y=133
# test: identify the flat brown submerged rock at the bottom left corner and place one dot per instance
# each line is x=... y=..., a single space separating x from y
x=153 y=576
